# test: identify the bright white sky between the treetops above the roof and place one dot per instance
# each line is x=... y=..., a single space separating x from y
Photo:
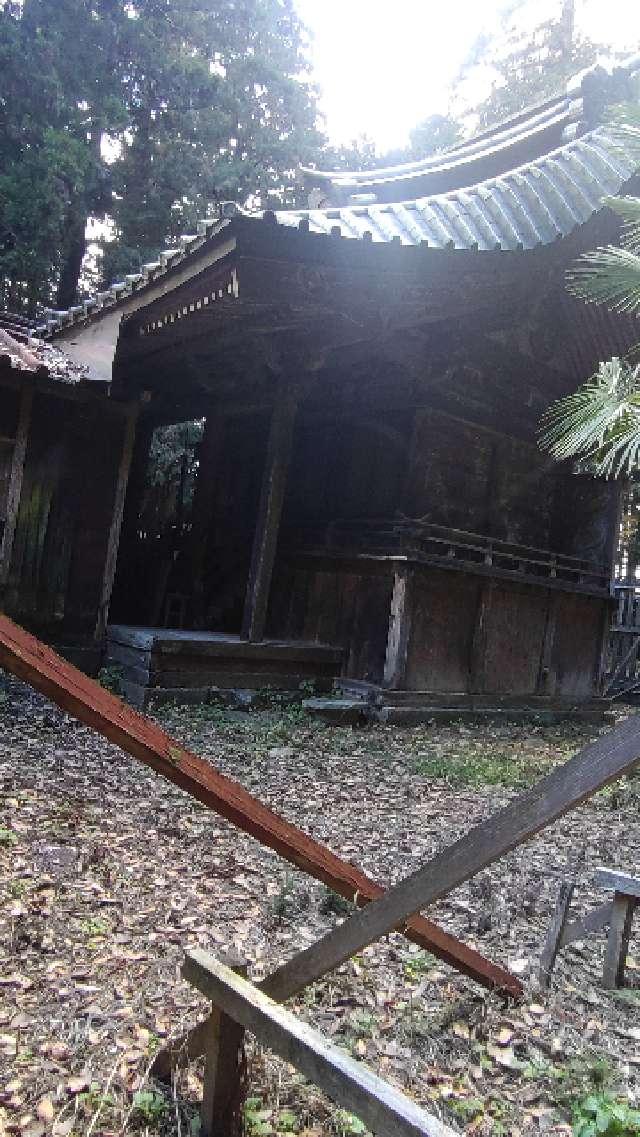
x=385 y=65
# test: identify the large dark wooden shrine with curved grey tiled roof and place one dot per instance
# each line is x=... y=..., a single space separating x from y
x=371 y=503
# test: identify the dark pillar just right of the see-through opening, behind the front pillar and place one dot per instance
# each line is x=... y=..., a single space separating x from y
x=202 y=517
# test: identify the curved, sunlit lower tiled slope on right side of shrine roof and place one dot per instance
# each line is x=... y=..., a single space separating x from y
x=534 y=205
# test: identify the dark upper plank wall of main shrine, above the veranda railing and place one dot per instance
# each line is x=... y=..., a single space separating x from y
x=423 y=466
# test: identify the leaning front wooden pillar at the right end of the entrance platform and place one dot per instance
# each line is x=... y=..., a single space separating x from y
x=270 y=512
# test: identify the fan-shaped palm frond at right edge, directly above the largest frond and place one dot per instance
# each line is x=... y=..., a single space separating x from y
x=610 y=277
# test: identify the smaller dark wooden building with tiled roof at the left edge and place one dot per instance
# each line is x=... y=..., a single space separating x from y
x=63 y=482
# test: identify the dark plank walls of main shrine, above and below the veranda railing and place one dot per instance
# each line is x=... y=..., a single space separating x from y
x=469 y=635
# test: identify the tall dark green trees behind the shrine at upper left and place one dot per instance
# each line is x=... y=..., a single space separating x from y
x=143 y=113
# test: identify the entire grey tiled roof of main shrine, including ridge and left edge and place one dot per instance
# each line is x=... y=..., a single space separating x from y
x=533 y=205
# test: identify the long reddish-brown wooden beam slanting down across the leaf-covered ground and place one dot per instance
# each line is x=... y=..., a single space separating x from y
x=31 y=660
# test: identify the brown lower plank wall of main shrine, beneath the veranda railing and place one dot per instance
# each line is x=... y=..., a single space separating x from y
x=469 y=635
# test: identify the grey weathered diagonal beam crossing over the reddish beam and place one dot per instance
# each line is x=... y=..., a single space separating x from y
x=593 y=768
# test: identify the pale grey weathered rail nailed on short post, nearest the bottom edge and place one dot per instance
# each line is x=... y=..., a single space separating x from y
x=385 y=1110
